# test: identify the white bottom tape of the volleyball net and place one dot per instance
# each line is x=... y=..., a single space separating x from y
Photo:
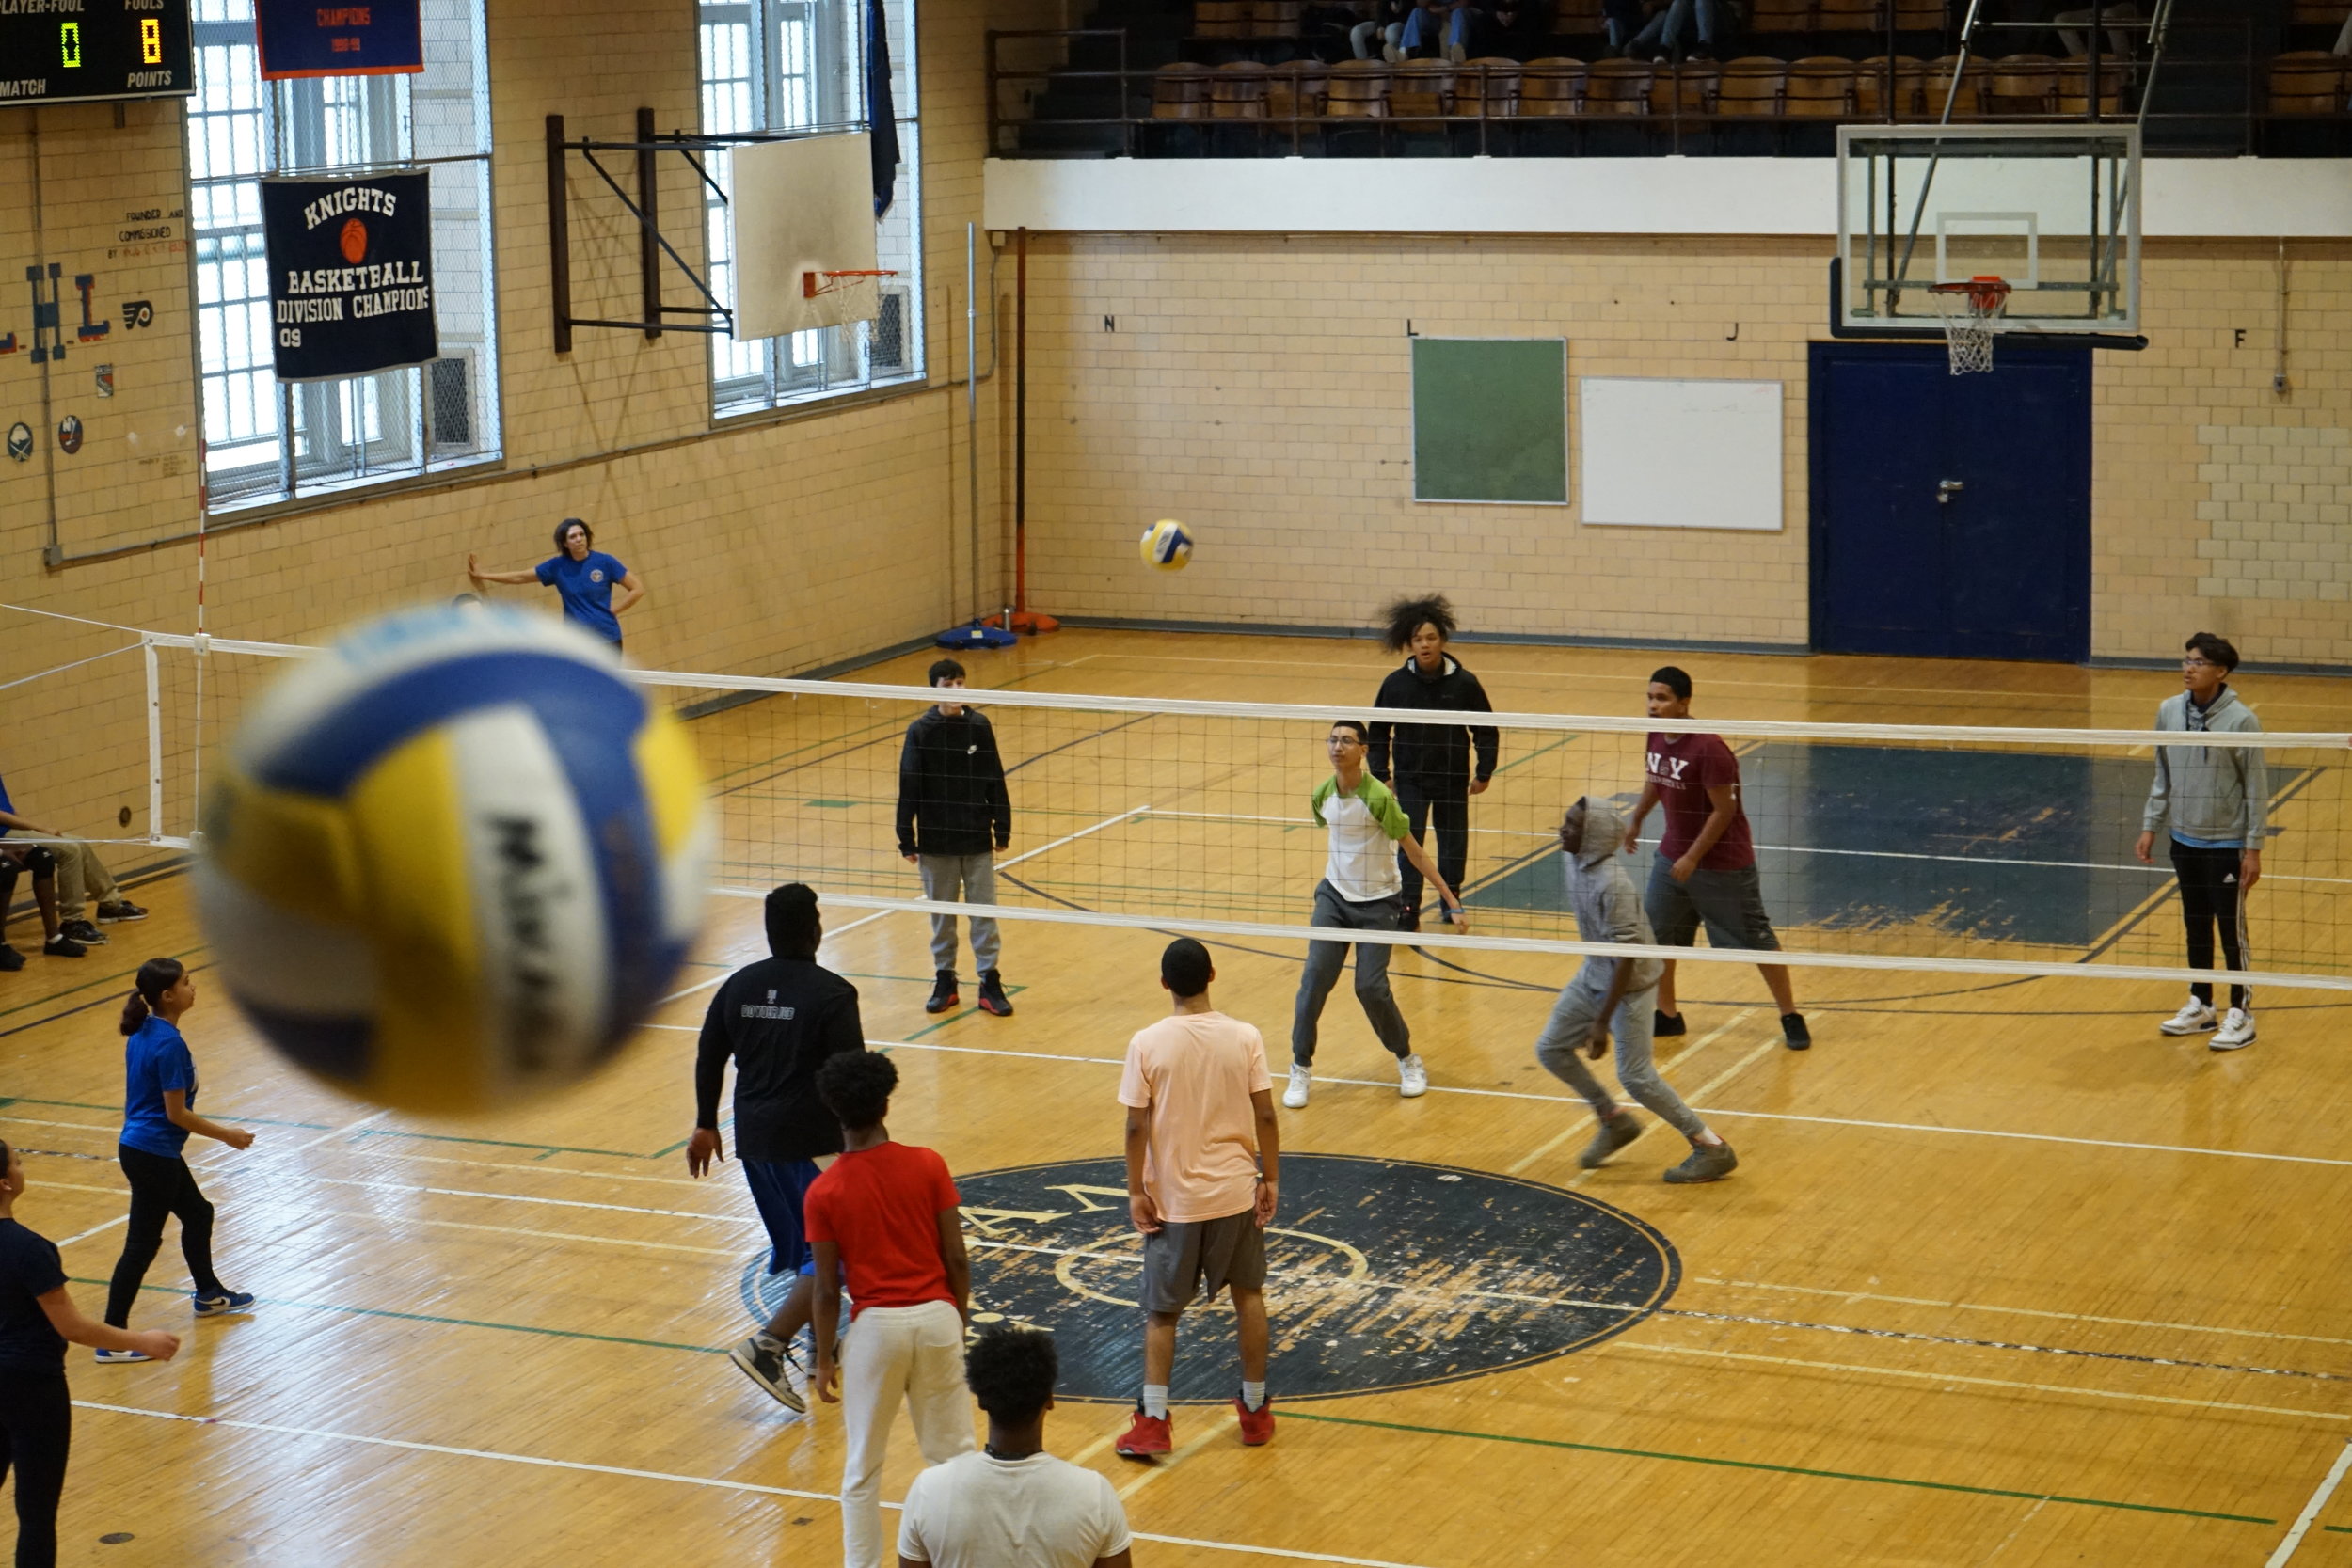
x=2073 y=970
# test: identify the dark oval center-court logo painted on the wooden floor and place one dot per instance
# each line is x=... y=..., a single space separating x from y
x=1382 y=1275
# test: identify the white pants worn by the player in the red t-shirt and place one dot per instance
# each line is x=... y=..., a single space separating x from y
x=890 y=1355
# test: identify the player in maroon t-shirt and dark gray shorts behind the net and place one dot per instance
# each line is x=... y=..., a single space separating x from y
x=1706 y=869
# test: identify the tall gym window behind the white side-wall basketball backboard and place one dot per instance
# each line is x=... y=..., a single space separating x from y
x=801 y=67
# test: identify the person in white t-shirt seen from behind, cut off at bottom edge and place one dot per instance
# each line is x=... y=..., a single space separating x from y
x=1013 y=1501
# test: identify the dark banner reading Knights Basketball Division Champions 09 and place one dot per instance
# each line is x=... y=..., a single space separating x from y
x=352 y=274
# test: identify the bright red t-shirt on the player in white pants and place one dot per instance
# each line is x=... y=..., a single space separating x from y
x=881 y=1207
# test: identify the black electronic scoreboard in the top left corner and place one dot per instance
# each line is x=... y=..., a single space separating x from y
x=65 y=51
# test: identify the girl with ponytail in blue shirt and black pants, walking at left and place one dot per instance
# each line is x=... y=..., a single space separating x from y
x=159 y=1113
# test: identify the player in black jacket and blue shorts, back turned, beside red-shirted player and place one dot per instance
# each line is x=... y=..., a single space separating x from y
x=780 y=1019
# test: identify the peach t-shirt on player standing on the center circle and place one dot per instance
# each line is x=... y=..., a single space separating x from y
x=1196 y=1076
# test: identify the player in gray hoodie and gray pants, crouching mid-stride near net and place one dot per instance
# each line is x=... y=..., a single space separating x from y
x=1617 y=998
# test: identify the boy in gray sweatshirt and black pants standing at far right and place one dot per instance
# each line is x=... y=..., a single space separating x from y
x=2214 y=800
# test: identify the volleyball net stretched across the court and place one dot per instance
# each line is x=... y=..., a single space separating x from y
x=1913 y=847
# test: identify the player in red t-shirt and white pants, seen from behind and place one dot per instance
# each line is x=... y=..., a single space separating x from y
x=888 y=1217
